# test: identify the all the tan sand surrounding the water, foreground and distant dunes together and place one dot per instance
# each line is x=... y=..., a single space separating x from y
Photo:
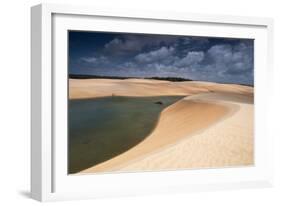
x=212 y=126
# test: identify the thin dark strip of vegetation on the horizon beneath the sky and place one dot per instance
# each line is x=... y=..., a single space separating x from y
x=86 y=76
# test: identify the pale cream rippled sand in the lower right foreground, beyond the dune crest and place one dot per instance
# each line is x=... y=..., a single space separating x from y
x=227 y=143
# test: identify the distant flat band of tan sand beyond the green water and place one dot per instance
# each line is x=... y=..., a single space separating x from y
x=88 y=88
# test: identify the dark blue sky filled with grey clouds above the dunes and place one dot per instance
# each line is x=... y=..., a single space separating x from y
x=145 y=55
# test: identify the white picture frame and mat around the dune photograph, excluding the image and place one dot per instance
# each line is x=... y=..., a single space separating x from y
x=49 y=180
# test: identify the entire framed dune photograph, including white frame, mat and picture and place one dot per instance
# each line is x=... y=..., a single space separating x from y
x=134 y=102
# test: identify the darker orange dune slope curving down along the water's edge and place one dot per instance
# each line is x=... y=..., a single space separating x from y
x=179 y=121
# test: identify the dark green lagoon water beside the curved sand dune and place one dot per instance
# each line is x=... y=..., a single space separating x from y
x=102 y=128
